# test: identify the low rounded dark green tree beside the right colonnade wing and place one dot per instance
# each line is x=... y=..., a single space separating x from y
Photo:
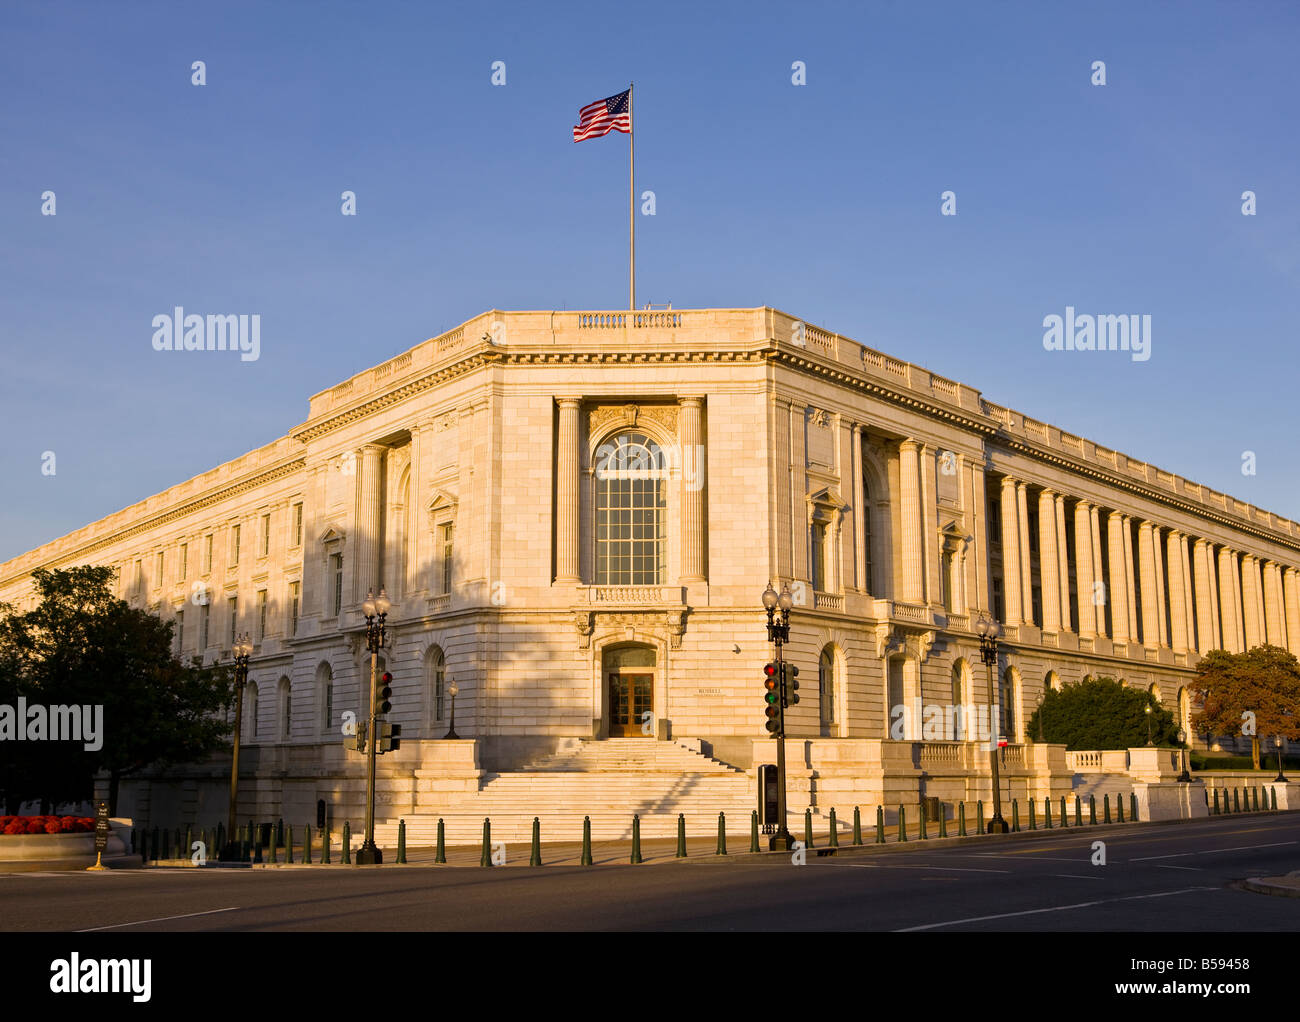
x=1102 y=714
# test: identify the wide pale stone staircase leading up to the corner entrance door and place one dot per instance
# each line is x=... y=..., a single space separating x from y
x=608 y=781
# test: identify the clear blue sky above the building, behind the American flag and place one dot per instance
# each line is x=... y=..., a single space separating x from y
x=822 y=201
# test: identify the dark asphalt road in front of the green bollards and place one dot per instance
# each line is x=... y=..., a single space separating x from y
x=1158 y=878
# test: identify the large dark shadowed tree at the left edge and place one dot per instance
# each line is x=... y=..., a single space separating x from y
x=83 y=647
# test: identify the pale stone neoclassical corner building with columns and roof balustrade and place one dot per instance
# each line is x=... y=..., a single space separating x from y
x=575 y=516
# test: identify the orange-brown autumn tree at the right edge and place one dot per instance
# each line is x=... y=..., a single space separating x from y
x=1250 y=694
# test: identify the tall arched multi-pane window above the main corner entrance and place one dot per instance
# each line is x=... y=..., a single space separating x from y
x=631 y=512
